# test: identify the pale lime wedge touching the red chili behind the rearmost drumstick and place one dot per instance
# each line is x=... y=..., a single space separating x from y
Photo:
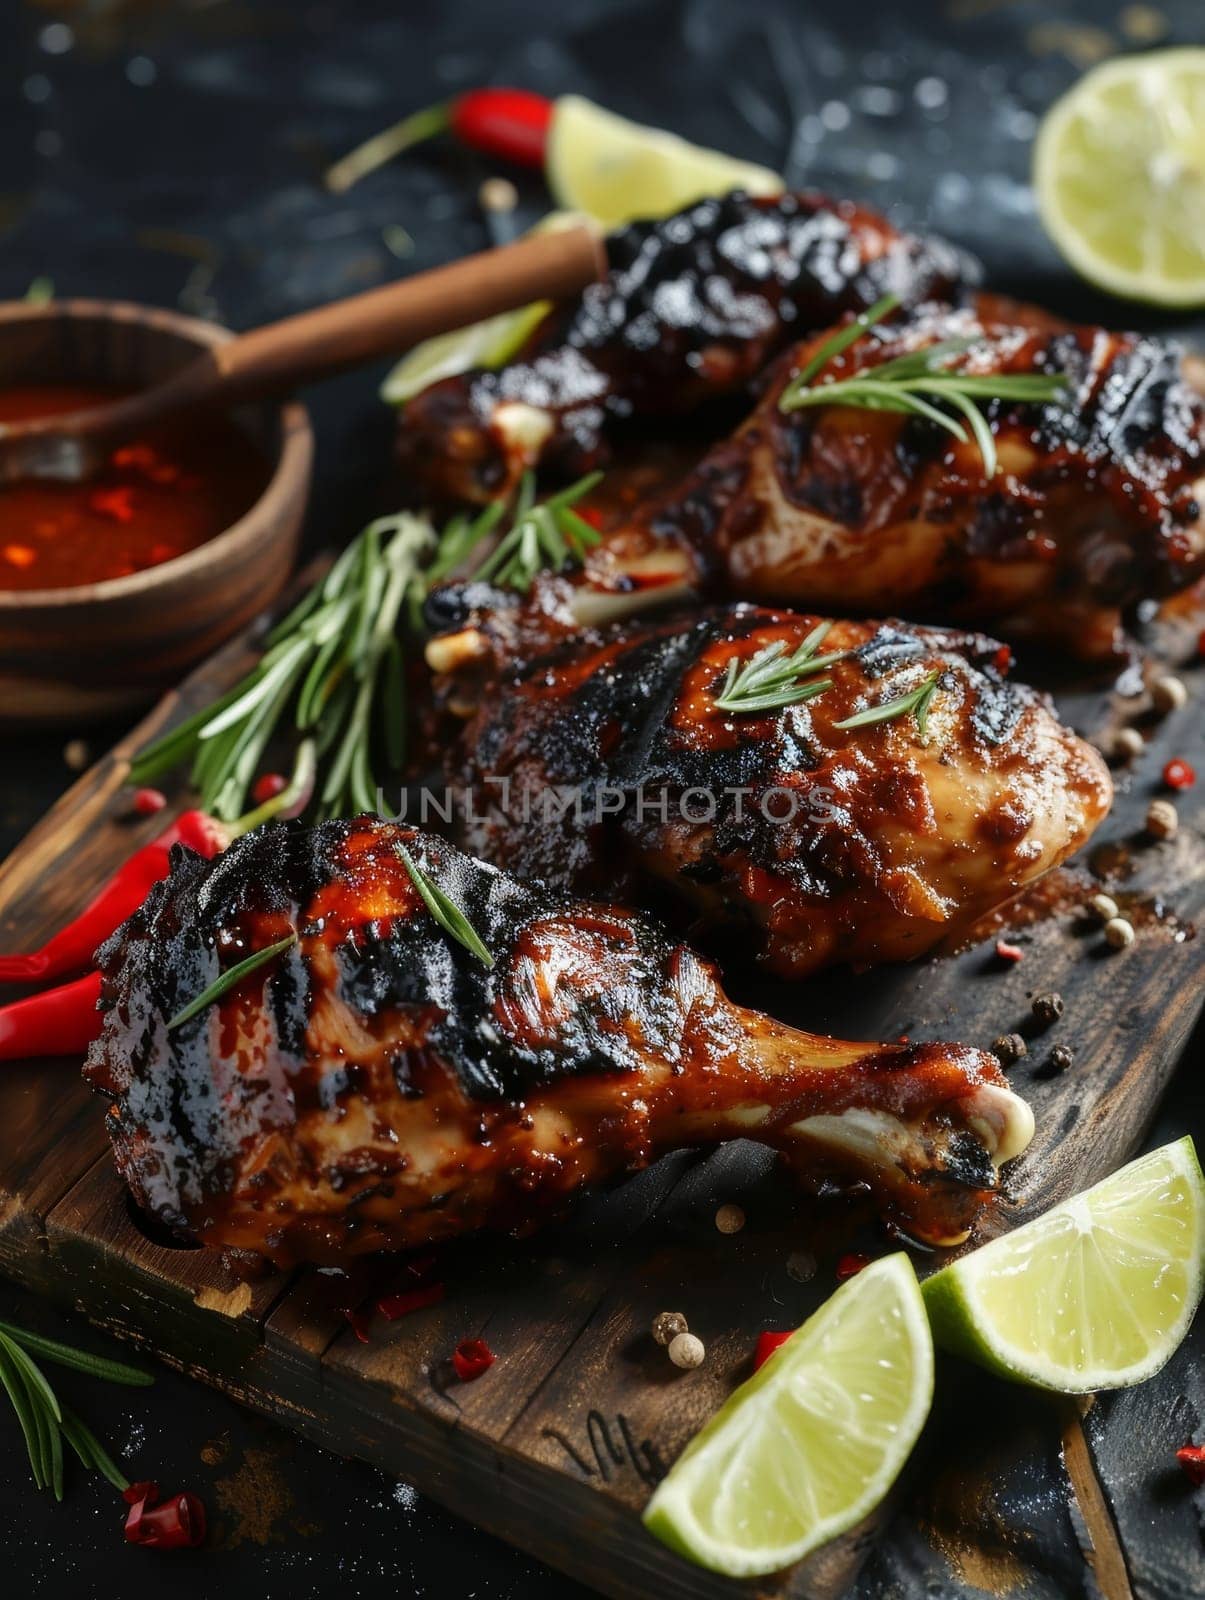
x=620 y=170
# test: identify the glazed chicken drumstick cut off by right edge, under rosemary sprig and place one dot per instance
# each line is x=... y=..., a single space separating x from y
x=1099 y=502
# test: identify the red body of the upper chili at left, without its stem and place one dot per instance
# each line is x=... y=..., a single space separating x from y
x=74 y=946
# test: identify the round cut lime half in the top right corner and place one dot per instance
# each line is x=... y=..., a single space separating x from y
x=1119 y=172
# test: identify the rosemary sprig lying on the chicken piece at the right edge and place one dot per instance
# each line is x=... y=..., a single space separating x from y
x=919 y=383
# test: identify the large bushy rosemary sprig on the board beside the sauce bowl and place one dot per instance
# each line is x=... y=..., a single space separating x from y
x=334 y=670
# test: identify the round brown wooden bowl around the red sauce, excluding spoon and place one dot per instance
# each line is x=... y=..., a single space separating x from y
x=108 y=647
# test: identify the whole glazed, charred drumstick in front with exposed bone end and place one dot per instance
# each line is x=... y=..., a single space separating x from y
x=377 y=1087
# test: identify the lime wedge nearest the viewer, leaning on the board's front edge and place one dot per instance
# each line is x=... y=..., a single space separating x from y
x=814 y=1441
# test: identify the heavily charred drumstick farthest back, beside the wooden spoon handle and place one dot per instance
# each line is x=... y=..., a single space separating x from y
x=694 y=310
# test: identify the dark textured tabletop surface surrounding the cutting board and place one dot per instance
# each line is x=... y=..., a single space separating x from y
x=169 y=151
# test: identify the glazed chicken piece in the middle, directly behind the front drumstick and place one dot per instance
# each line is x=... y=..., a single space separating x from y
x=779 y=831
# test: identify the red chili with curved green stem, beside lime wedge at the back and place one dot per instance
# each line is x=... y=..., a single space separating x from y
x=510 y=124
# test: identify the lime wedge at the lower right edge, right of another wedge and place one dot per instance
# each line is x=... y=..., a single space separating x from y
x=1094 y=1295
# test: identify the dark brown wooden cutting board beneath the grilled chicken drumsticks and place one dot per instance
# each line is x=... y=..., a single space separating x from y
x=558 y=1446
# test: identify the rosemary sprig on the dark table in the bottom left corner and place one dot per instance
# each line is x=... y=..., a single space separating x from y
x=44 y=1420
